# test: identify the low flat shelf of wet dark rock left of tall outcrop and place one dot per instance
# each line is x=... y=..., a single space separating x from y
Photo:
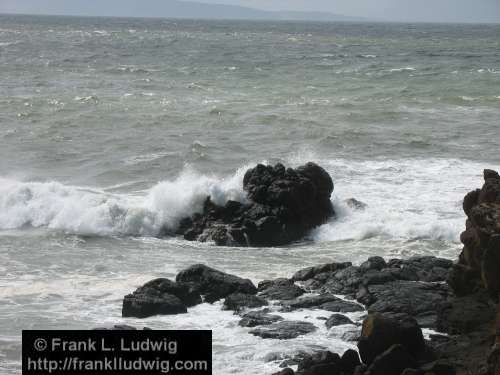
x=413 y=287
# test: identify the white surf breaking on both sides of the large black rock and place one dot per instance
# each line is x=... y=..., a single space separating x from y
x=406 y=199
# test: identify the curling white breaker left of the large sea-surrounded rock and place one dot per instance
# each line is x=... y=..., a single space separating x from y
x=91 y=211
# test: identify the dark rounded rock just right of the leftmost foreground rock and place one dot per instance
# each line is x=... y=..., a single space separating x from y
x=214 y=284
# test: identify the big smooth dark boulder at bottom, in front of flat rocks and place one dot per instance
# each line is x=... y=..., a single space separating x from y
x=380 y=332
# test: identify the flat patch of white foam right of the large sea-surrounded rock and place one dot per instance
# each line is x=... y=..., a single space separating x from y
x=408 y=199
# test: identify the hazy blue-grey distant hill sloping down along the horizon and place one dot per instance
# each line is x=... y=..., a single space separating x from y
x=159 y=8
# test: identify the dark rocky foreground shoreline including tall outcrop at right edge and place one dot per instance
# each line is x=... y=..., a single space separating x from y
x=400 y=297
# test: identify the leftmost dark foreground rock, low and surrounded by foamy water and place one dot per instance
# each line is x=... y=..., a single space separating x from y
x=160 y=297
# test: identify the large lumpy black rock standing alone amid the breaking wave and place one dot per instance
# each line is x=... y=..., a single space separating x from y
x=283 y=205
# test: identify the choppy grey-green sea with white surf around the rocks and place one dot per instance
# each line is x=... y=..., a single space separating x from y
x=111 y=128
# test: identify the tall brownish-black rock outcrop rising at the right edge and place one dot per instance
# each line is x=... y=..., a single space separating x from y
x=479 y=263
